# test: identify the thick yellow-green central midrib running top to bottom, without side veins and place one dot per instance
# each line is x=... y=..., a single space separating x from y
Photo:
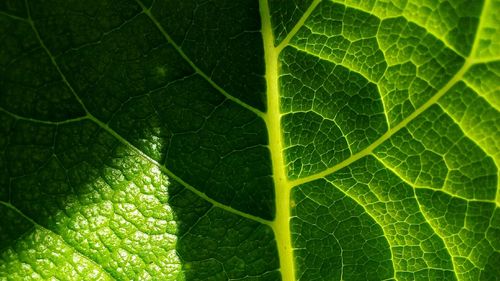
x=281 y=224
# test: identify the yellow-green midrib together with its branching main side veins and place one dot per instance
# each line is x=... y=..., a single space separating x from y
x=272 y=118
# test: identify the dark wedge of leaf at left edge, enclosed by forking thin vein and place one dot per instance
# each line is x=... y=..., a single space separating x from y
x=26 y=71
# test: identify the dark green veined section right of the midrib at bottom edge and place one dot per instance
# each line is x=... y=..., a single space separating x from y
x=335 y=238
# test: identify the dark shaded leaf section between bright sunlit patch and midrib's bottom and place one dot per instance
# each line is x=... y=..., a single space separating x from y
x=217 y=245
